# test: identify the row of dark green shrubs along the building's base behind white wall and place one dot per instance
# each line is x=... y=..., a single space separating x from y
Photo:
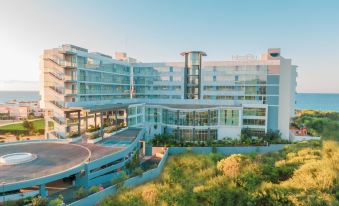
x=247 y=137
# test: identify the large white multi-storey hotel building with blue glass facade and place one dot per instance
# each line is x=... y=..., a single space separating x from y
x=193 y=99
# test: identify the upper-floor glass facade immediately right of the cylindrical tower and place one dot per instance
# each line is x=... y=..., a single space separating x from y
x=245 y=82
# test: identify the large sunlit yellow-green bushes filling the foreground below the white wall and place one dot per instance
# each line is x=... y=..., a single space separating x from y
x=305 y=173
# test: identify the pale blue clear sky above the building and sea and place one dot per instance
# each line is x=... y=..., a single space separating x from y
x=152 y=30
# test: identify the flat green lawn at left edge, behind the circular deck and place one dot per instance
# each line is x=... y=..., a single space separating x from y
x=24 y=128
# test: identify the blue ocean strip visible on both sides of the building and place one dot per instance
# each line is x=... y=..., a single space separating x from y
x=316 y=101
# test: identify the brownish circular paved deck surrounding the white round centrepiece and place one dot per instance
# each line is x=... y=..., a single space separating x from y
x=51 y=158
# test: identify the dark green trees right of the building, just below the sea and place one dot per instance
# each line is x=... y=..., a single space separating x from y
x=318 y=123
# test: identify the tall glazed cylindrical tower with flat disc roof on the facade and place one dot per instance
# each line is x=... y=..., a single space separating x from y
x=192 y=78
